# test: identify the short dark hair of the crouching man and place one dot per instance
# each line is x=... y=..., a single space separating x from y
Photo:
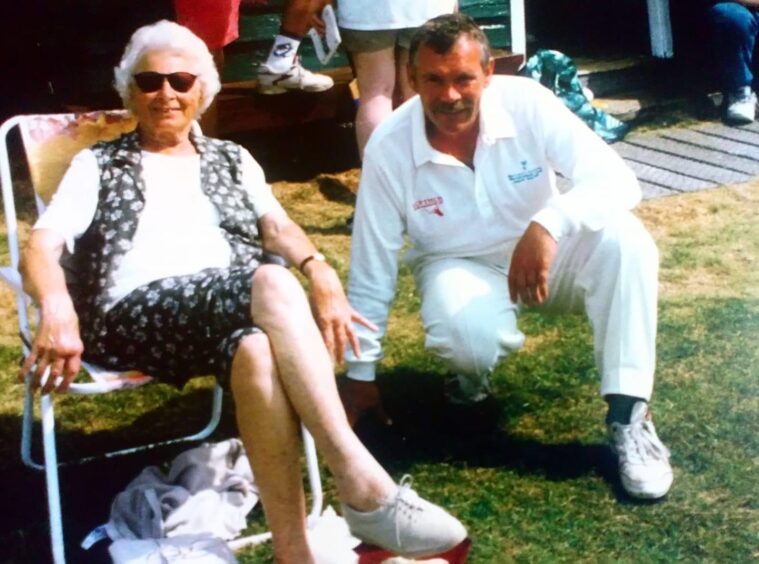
x=440 y=33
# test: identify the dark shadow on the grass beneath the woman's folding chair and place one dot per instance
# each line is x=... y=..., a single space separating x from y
x=87 y=490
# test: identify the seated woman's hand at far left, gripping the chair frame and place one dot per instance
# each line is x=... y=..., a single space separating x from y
x=57 y=346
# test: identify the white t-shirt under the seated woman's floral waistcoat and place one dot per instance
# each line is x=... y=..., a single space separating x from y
x=178 y=231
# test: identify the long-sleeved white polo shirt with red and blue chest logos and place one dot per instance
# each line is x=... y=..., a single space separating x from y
x=446 y=209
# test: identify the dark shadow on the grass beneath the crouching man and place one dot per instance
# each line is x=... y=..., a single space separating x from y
x=426 y=429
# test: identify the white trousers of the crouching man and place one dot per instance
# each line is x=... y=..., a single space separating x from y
x=611 y=274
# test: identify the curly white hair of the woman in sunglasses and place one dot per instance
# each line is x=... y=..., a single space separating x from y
x=167 y=36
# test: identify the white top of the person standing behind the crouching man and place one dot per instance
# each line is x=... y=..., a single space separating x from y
x=370 y=15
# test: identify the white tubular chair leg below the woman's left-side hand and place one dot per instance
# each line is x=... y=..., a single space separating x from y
x=51 y=479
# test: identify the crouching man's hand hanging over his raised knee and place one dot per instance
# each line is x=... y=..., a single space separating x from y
x=530 y=263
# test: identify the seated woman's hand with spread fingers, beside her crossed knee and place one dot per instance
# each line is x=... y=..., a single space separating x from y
x=332 y=312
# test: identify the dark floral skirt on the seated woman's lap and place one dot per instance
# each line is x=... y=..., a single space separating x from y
x=182 y=326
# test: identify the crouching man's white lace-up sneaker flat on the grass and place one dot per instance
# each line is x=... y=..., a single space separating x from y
x=643 y=460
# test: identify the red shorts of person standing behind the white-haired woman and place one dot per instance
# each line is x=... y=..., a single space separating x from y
x=215 y=21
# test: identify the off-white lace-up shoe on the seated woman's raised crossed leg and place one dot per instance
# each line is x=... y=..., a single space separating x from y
x=406 y=525
